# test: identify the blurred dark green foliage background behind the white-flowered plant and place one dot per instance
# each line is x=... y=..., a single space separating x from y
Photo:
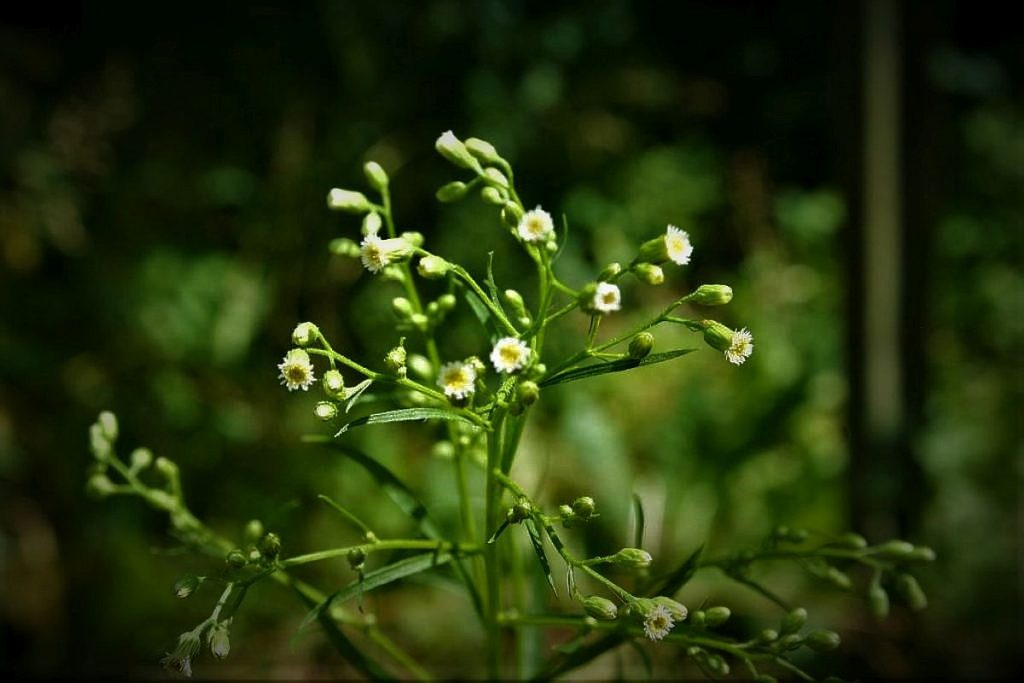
x=855 y=170
